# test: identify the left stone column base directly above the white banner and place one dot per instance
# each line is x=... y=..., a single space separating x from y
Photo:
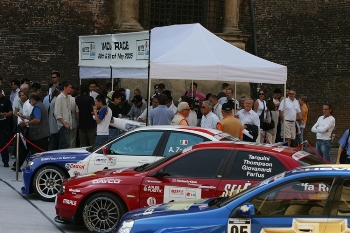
x=127 y=16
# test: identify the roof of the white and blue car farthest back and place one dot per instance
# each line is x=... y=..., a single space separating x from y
x=211 y=132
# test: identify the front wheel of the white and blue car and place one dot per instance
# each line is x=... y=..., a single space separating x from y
x=47 y=182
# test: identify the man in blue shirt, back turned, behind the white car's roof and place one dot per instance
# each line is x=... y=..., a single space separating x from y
x=161 y=115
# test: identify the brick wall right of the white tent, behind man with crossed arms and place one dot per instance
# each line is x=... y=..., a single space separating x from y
x=311 y=38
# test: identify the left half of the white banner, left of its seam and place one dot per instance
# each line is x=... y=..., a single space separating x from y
x=95 y=51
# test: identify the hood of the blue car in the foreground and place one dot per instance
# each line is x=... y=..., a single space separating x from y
x=171 y=208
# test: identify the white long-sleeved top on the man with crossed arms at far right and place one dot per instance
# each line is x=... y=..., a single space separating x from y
x=324 y=127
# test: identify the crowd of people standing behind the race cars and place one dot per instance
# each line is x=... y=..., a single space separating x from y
x=69 y=116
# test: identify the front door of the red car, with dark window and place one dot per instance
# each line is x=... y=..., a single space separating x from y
x=193 y=176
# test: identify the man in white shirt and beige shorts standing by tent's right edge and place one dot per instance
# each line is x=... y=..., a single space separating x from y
x=289 y=112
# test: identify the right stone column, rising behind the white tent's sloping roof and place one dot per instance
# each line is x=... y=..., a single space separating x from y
x=231 y=16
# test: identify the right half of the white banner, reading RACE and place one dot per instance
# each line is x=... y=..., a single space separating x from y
x=130 y=50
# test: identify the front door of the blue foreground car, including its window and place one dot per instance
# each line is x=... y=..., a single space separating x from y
x=297 y=206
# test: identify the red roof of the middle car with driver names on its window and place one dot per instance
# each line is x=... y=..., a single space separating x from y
x=263 y=147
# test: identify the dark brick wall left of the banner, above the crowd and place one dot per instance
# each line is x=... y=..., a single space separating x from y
x=39 y=36
